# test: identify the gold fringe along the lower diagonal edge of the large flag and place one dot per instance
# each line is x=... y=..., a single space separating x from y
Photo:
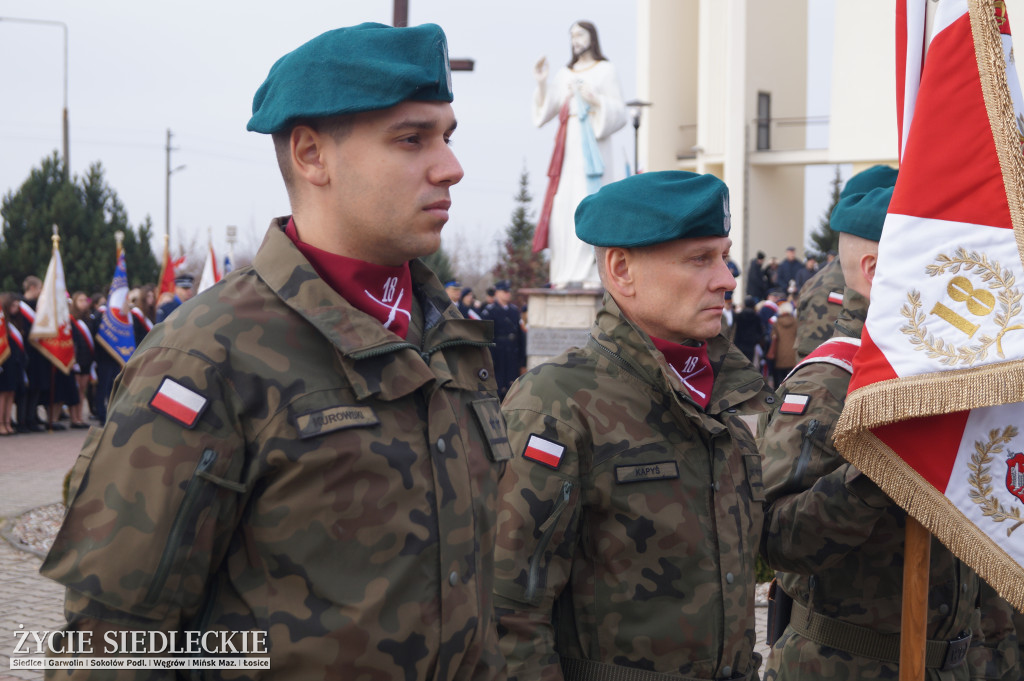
x=933 y=510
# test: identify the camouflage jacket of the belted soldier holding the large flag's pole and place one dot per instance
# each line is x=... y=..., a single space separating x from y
x=837 y=539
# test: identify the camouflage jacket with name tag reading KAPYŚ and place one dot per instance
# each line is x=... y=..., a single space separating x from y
x=641 y=532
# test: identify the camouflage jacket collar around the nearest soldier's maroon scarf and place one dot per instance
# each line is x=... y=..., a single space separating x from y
x=367 y=349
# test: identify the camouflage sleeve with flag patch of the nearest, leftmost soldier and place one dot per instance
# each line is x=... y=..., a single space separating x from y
x=153 y=501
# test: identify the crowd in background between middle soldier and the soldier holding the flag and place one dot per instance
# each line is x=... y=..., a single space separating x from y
x=763 y=325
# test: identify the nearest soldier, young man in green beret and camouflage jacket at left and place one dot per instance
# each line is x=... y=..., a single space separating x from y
x=309 y=453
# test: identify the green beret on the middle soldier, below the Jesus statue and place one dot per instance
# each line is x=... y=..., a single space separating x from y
x=653 y=208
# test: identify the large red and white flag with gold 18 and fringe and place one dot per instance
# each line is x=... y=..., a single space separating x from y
x=934 y=410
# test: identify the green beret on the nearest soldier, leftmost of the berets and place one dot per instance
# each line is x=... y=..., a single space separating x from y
x=357 y=69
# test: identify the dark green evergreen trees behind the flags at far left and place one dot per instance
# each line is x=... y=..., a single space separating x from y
x=88 y=214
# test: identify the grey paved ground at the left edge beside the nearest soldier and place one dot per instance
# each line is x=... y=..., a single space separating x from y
x=32 y=472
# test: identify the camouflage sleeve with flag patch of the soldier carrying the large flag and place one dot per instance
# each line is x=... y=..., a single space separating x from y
x=817 y=501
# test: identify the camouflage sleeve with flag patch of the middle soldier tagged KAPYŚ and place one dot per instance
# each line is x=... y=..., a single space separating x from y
x=537 y=538
